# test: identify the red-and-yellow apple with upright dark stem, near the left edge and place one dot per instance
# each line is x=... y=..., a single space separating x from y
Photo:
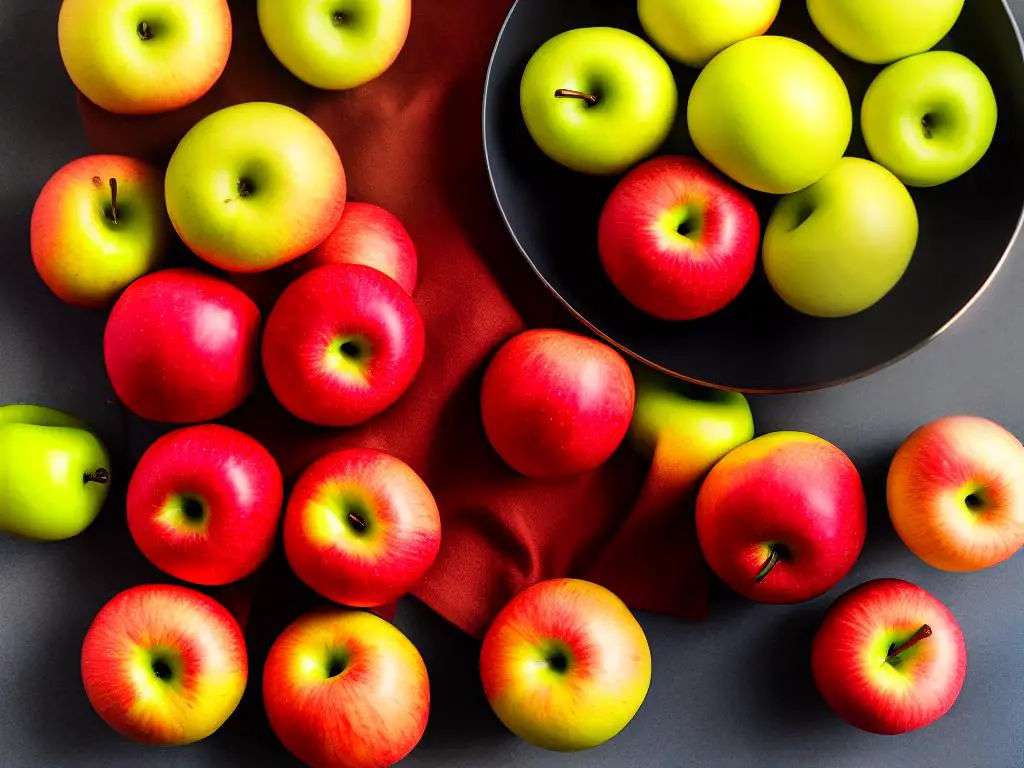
x=99 y=224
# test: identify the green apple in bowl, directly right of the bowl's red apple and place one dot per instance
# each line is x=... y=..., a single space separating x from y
x=841 y=245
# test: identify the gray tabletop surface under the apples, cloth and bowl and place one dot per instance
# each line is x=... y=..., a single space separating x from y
x=733 y=692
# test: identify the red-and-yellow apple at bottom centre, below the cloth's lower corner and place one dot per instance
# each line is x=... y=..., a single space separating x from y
x=566 y=665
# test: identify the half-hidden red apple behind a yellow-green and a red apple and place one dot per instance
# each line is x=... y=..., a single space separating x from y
x=368 y=235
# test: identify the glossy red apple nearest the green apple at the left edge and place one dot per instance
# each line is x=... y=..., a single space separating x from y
x=204 y=504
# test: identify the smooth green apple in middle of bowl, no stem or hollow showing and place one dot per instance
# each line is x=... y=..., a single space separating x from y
x=772 y=113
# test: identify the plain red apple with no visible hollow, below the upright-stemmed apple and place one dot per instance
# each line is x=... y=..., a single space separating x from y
x=182 y=347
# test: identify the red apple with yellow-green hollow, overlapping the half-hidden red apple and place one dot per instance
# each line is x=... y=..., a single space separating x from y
x=343 y=345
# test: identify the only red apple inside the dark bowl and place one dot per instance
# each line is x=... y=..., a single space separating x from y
x=660 y=270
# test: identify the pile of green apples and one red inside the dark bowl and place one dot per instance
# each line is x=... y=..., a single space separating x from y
x=679 y=237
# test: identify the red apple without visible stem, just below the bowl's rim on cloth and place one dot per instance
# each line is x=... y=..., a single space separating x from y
x=557 y=404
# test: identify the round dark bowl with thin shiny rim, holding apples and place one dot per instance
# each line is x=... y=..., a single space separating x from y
x=758 y=345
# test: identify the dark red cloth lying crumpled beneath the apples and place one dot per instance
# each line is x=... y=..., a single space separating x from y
x=411 y=142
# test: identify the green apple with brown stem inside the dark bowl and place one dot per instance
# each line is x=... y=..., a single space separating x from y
x=599 y=100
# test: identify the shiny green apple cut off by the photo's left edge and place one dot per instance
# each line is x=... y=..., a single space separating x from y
x=55 y=474
